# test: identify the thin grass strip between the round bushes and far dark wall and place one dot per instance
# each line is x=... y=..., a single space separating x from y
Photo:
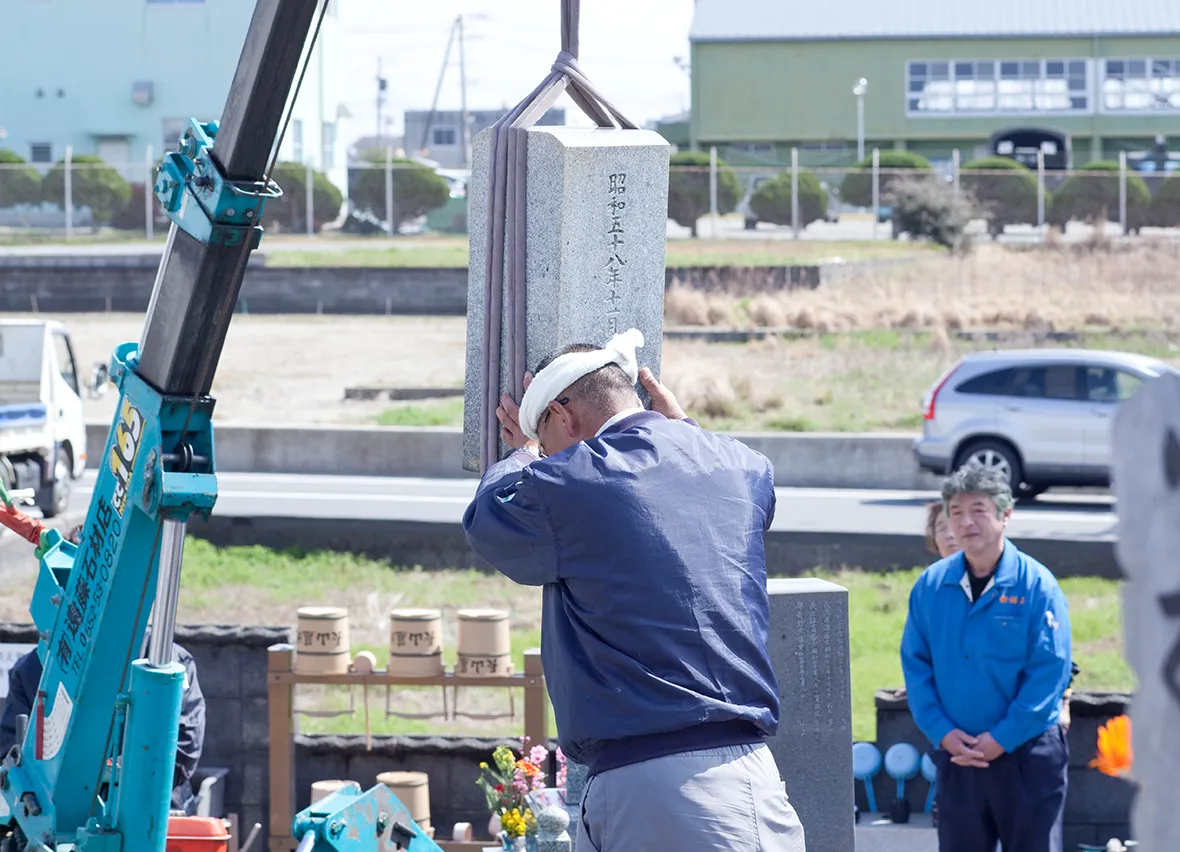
x=453 y=252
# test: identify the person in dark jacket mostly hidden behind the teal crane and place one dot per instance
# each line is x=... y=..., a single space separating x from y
x=25 y=677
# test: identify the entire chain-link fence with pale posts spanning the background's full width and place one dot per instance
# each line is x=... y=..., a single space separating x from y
x=1001 y=198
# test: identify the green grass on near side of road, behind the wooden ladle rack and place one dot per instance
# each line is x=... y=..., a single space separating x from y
x=260 y=587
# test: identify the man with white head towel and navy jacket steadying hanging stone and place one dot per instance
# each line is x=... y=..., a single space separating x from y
x=646 y=533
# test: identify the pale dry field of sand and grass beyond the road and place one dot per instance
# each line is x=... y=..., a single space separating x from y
x=879 y=338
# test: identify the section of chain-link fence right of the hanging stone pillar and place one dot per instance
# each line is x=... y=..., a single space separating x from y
x=999 y=196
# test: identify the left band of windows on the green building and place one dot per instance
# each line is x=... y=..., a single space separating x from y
x=988 y=86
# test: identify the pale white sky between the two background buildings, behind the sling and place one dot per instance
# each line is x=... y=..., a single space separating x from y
x=628 y=50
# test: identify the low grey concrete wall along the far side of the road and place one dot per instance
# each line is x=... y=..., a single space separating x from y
x=821 y=461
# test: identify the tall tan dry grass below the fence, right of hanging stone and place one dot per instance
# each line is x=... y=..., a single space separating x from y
x=1056 y=287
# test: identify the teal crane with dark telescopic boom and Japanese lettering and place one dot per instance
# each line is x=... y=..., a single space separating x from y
x=93 y=769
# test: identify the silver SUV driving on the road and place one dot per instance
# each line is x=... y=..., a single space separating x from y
x=1043 y=417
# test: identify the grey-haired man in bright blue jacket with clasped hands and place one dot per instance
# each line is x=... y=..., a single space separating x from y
x=987 y=661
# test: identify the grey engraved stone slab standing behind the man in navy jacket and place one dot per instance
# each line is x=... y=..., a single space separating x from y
x=809 y=647
